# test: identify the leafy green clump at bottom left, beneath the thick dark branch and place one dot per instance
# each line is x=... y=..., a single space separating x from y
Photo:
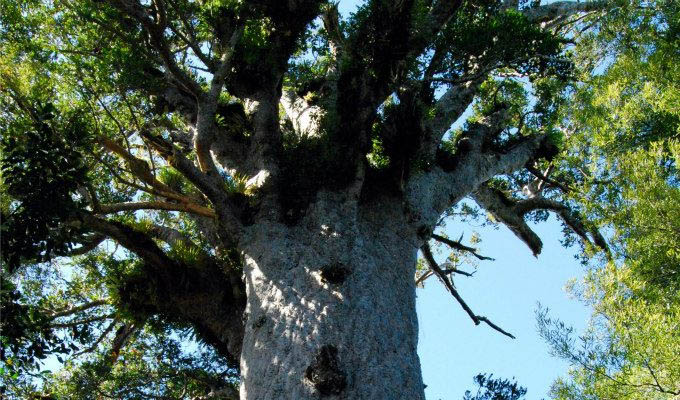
x=156 y=364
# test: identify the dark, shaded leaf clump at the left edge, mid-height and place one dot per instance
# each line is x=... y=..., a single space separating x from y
x=40 y=160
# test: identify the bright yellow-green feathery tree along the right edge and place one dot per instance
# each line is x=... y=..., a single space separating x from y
x=628 y=112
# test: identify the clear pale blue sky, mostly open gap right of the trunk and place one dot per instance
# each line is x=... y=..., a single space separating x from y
x=453 y=350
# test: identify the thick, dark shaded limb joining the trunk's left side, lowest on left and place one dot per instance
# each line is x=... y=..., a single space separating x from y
x=204 y=294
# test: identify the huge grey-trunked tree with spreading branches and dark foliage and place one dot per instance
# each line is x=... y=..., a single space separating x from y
x=263 y=173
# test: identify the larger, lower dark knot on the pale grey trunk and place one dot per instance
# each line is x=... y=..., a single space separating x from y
x=324 y=372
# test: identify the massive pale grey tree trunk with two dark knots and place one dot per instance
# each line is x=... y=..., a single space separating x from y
x=331 y=305
